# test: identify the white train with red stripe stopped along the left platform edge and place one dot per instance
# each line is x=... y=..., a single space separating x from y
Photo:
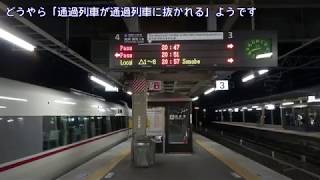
x=44 y=132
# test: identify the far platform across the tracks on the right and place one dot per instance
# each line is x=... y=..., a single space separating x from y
x=273 y=128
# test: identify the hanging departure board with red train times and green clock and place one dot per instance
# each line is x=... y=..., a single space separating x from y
x=193 y=50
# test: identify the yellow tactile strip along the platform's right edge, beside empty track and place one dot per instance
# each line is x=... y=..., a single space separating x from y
x=245 y=173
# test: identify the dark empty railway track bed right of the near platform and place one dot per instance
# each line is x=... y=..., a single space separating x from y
x=284 y=161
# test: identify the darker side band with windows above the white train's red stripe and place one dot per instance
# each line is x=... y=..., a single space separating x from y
x=49 y=132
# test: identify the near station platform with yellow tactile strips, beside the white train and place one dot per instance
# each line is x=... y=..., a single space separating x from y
x=209 y=160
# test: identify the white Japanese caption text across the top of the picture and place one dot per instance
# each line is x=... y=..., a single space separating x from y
x=125 y=12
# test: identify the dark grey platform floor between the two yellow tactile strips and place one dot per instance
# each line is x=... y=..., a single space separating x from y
x=197 y=166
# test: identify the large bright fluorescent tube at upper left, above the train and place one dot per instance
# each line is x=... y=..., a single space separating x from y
x=15 y=40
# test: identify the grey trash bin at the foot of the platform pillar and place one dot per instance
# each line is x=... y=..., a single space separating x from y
x=144 y=152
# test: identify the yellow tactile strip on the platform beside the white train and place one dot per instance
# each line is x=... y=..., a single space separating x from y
x=100 y=173
